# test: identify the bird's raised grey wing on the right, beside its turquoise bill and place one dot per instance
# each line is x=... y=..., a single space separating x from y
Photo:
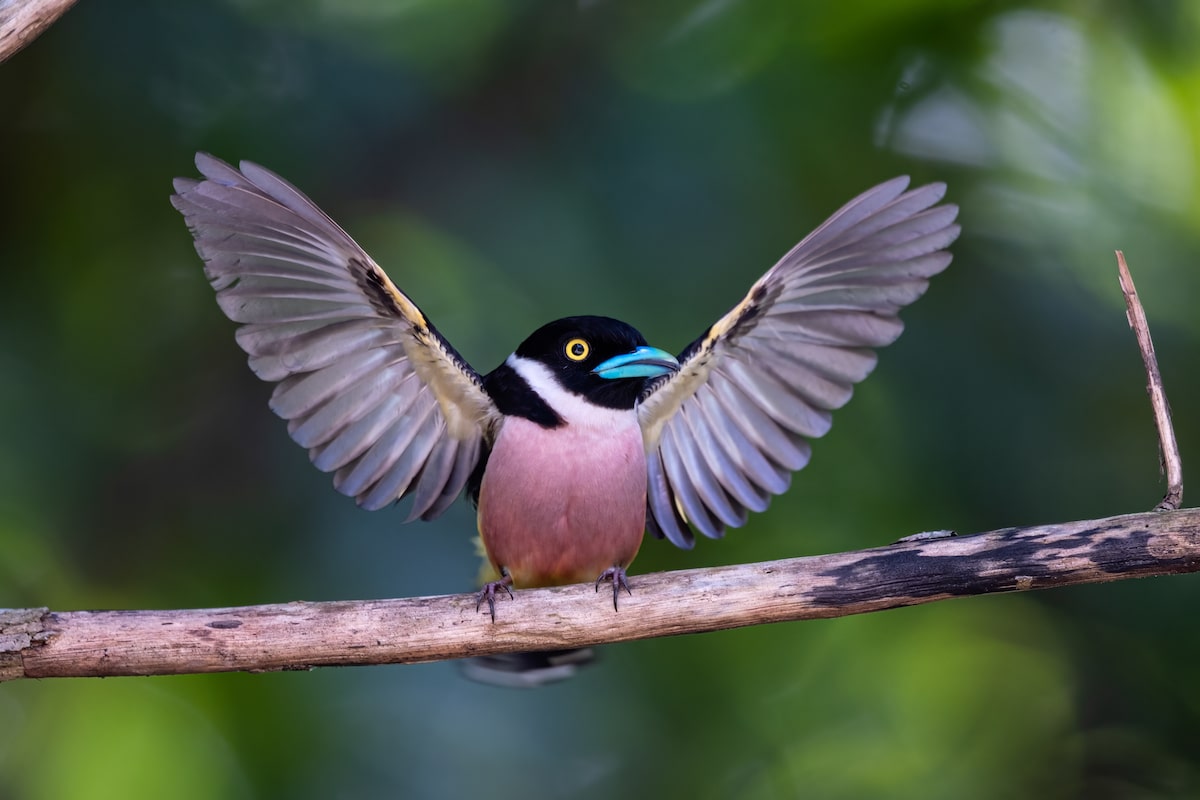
x=728 y=431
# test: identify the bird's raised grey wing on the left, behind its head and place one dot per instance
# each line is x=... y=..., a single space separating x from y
x=364 y=380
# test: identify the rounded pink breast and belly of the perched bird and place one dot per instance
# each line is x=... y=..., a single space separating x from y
x=563 y=506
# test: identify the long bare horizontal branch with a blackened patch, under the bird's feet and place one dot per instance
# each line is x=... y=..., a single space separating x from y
x=40 y=643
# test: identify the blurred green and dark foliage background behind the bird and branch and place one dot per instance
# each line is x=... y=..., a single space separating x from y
x=514 y=163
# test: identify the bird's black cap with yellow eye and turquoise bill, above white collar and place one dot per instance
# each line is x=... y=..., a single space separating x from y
x=601 y=359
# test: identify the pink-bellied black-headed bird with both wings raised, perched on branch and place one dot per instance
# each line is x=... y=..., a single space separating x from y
x=586 y=437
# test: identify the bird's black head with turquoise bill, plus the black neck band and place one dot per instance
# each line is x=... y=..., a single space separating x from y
x=599 y=359
